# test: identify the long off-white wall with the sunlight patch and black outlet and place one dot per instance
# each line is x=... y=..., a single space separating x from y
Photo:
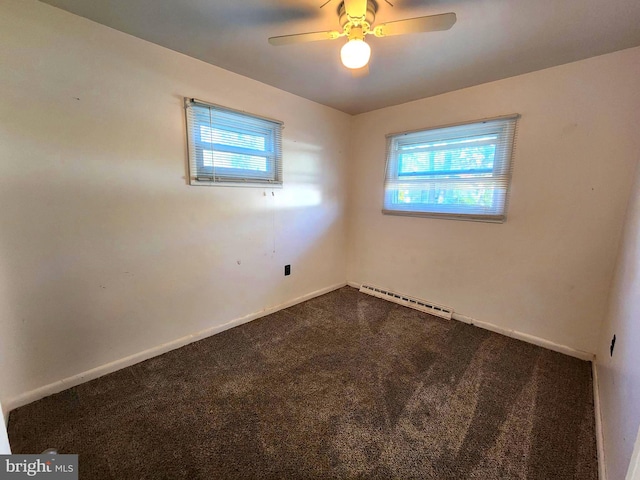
x=105 y=251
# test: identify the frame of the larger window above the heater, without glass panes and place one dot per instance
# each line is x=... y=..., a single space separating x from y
x=503 y=128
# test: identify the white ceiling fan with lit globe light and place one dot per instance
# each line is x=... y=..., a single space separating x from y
x=356 y=18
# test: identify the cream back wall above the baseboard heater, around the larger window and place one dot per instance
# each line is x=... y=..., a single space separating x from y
x=546 y=271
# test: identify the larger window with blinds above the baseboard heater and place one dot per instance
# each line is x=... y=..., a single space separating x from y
x=459 y=172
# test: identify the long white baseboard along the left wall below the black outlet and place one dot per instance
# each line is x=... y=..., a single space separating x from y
x=50 y=389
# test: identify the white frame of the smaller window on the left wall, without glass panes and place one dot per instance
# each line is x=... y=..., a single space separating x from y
x=251 y=125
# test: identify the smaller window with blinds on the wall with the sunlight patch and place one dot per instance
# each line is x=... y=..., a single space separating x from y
x=227 y=147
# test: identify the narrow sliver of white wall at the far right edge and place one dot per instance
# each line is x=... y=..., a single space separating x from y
x=619 y=374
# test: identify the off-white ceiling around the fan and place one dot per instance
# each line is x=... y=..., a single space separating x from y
x=492 y=39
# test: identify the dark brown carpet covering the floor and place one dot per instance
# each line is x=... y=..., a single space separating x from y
x=342 y=386
